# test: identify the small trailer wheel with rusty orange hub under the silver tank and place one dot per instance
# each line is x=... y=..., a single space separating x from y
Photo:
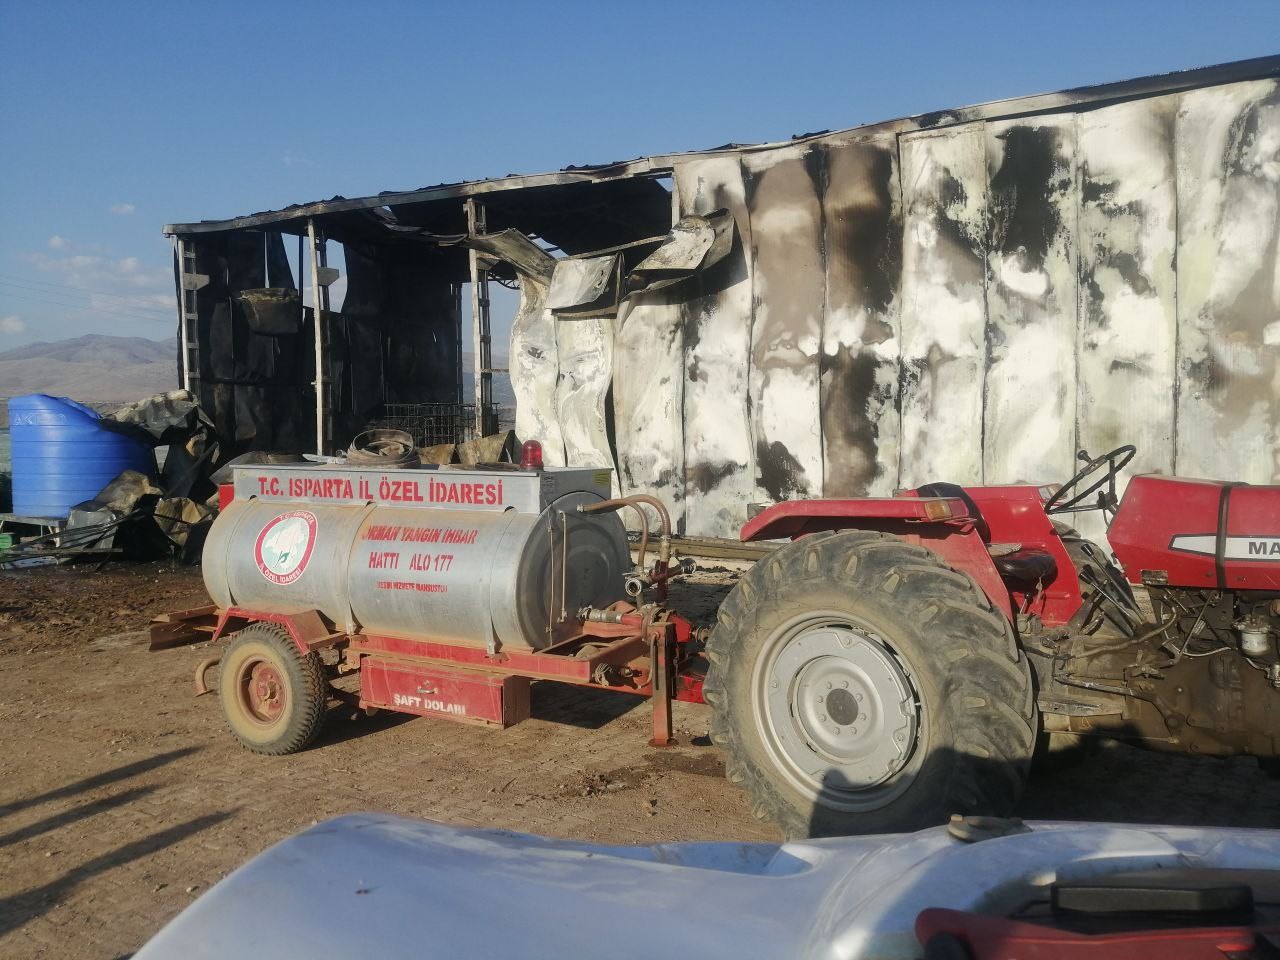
x=273 y=696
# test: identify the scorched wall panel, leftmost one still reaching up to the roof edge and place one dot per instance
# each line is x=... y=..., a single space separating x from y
x=719 y=447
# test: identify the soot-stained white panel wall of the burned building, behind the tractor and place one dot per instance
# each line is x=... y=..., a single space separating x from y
x=971 y=304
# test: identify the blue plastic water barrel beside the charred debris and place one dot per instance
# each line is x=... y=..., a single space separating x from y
x=63 y=456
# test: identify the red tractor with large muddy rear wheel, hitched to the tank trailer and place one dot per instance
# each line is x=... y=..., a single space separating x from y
x=902 y=660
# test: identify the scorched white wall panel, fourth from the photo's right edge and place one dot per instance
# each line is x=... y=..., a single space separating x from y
x=944 y=305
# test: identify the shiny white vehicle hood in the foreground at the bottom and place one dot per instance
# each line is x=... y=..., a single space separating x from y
x=371 y=885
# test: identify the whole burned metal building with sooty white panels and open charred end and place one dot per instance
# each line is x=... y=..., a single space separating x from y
x=972 y=296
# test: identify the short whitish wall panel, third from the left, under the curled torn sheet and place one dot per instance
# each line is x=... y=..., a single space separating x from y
x=648 y=400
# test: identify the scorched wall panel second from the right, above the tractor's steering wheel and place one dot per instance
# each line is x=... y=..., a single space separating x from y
x=1127 y=235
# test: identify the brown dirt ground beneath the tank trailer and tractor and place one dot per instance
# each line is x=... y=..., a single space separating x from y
x=122 y=798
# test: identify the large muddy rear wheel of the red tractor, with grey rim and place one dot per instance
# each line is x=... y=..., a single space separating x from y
x=861 y=685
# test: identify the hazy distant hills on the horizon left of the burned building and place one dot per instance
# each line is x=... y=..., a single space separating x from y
x=92 y=369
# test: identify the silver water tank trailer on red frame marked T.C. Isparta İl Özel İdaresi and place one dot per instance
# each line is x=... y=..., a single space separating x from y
x=447 y=591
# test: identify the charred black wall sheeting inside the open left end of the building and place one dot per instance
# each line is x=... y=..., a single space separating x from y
x=396 y=340
